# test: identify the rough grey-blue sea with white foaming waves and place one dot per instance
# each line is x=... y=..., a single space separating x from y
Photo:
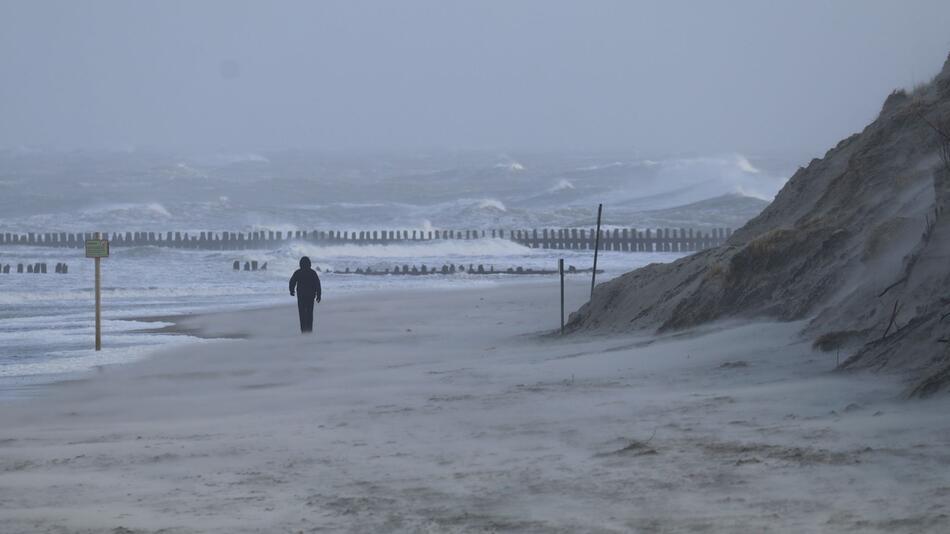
x=47 y=320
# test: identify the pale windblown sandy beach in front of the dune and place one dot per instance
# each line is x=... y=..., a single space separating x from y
x=450 y=412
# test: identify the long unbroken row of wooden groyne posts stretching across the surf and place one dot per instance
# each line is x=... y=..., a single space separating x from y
x=618 y=239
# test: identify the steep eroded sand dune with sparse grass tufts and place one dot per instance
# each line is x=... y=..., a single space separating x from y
x=857 y=243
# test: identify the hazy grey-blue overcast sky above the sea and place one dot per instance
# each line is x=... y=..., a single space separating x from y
x=664 y=76
